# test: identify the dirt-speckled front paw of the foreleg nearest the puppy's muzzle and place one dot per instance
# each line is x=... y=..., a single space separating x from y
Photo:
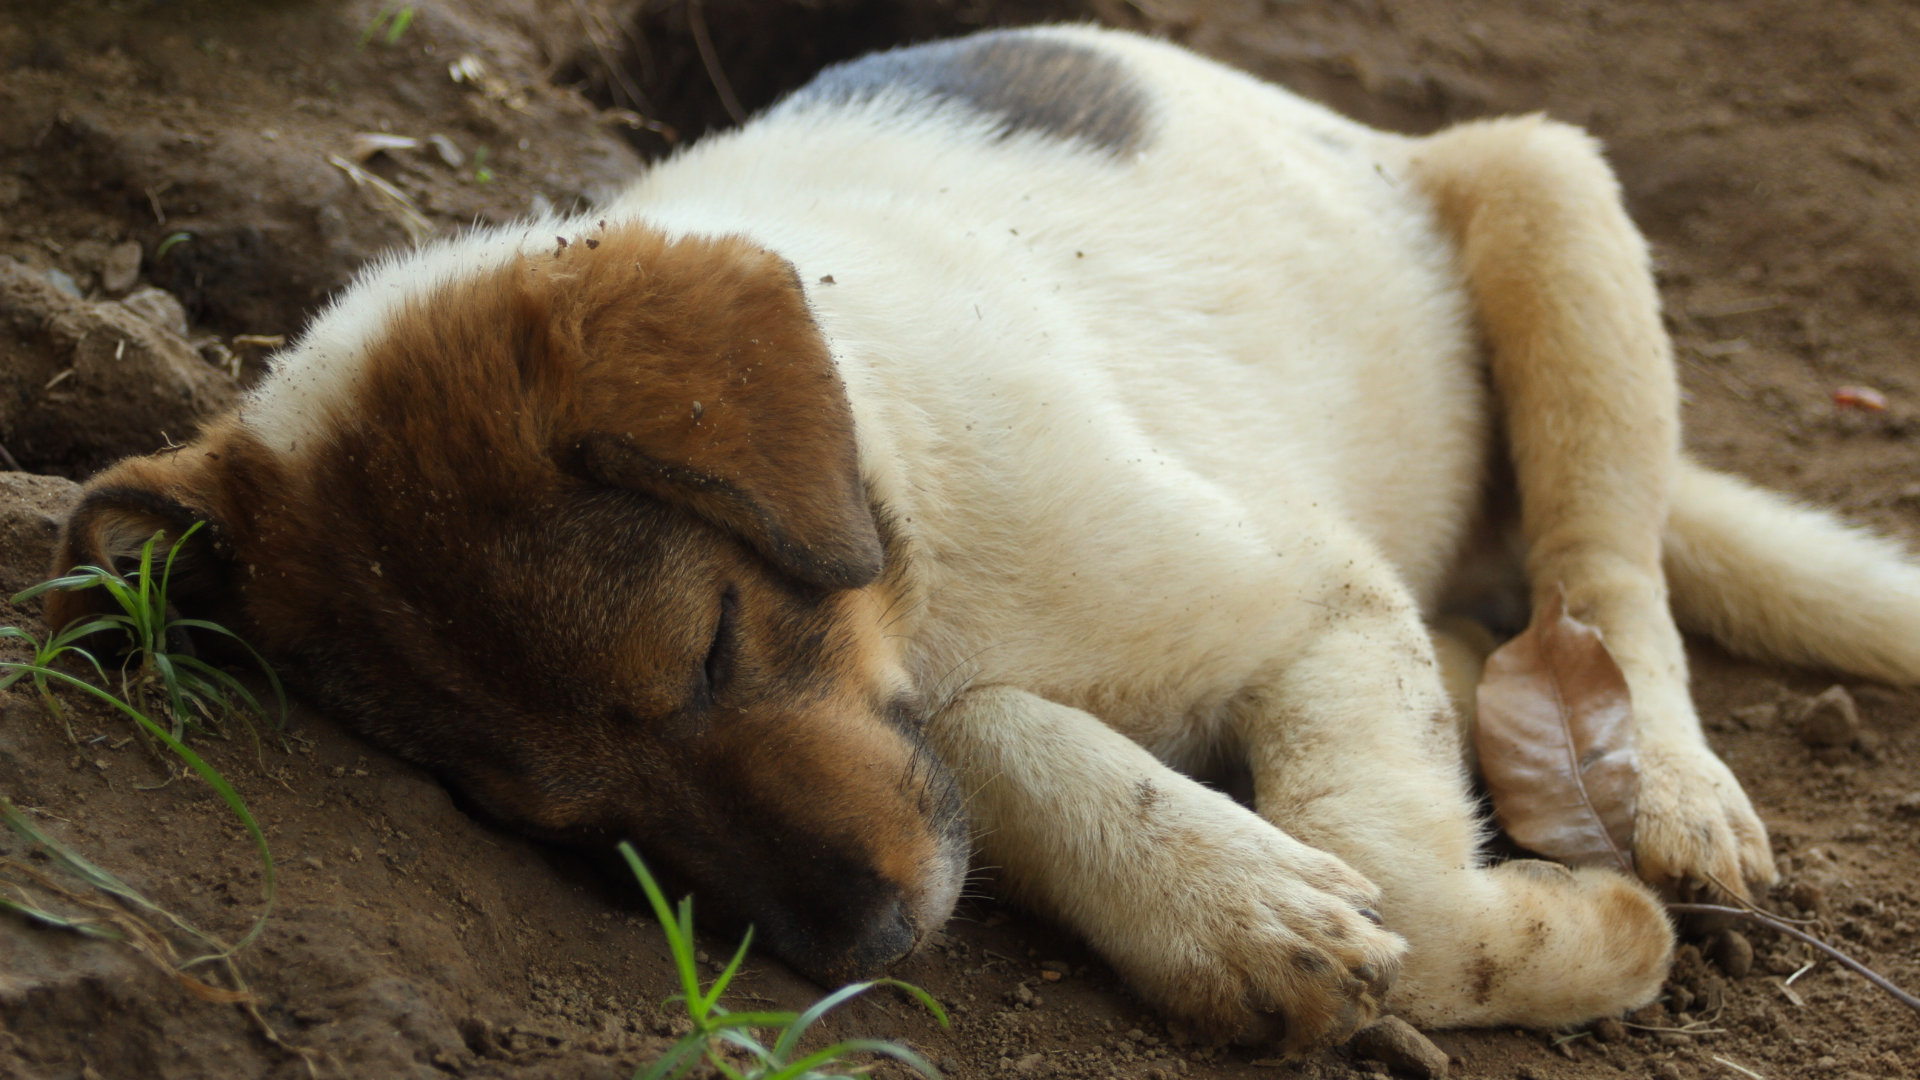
x=1260 y=939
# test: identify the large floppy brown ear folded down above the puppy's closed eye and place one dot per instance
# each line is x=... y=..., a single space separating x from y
x=700 y=378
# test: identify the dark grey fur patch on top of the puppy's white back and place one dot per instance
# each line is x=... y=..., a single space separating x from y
x=1024 y=82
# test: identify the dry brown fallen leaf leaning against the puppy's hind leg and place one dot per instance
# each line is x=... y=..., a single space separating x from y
x=1556 y=739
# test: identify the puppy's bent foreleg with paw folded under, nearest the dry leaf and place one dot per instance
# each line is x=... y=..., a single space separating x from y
x=1355 y=749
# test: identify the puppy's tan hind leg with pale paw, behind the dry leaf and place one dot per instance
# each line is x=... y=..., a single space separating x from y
x=1591 y=408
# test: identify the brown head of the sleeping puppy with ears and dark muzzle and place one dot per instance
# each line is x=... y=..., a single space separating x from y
x=585 y=533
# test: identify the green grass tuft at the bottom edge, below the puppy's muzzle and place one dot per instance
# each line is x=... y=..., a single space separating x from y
x=715 y=1027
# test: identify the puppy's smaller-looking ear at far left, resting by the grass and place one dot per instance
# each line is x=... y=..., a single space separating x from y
x=118 y=514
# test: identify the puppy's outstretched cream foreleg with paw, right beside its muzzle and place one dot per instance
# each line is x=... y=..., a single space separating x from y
x=1207 y=910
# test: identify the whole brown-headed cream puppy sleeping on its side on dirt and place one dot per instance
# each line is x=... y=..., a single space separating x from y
x=974 y=449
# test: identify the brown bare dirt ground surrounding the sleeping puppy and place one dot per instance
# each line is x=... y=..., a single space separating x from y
x=185 y=180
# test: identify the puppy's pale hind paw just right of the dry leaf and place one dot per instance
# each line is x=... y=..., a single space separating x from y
x=1694 y=827
